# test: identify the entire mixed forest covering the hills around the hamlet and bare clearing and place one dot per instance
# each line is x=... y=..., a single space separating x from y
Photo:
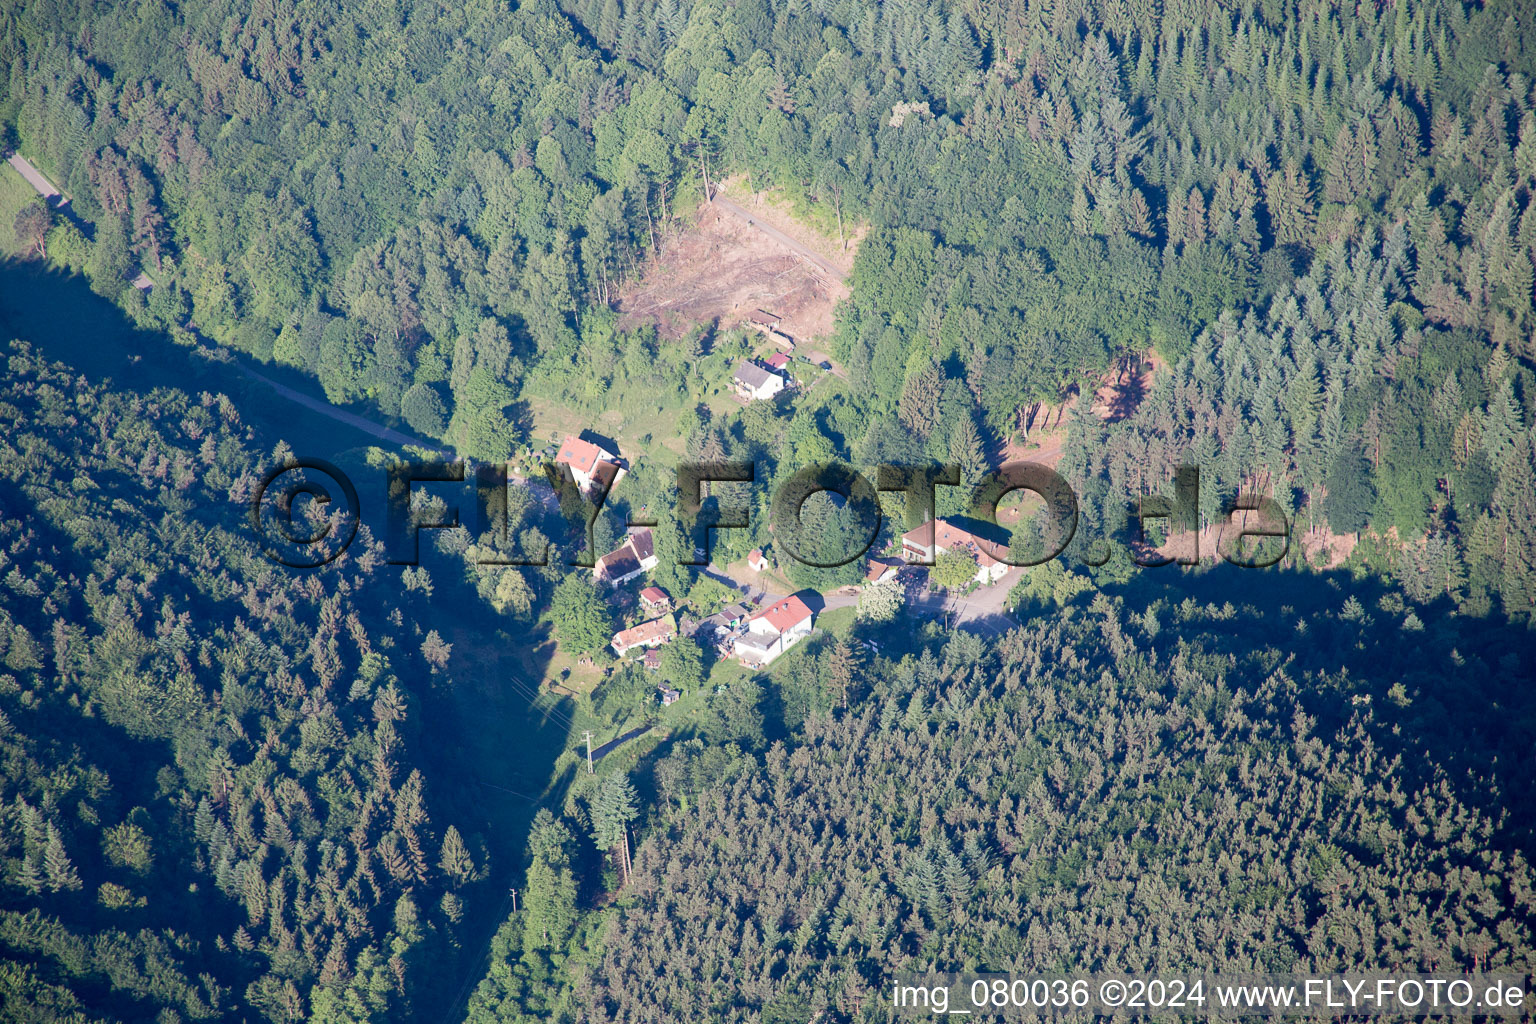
x=237 y=793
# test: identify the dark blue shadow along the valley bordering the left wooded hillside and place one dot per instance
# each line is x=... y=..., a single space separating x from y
x=488 y=739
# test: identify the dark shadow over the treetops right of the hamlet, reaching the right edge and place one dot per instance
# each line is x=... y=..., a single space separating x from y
x=1468 y=704
